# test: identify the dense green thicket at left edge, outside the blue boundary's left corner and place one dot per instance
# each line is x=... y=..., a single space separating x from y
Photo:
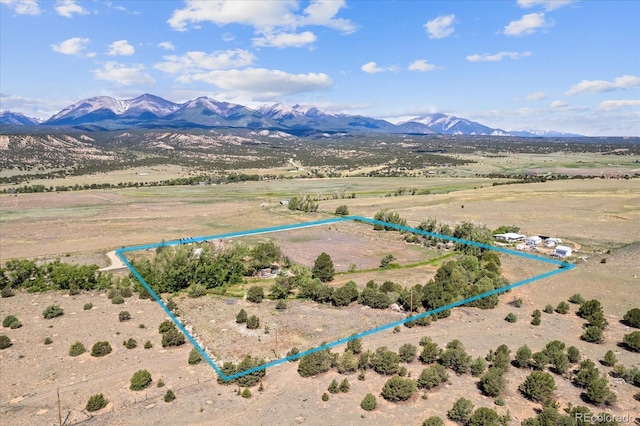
x=22 y=273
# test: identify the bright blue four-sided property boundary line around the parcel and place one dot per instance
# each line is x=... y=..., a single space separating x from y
x=563 y=267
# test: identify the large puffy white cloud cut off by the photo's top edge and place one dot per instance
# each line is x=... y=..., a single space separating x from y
x=264 y=16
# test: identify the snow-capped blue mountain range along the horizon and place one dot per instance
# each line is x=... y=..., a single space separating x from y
x=103 y=113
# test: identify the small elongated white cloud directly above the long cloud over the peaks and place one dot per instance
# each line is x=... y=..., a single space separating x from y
x=200 y=61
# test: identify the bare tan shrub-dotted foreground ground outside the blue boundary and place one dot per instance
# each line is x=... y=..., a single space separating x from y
x=288 y=398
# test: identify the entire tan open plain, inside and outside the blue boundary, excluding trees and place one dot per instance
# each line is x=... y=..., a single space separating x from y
x=596 y=214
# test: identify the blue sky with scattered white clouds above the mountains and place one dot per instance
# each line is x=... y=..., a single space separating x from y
x=565 y=65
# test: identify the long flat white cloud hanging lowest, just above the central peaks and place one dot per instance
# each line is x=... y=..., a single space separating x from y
x=265 y=83
